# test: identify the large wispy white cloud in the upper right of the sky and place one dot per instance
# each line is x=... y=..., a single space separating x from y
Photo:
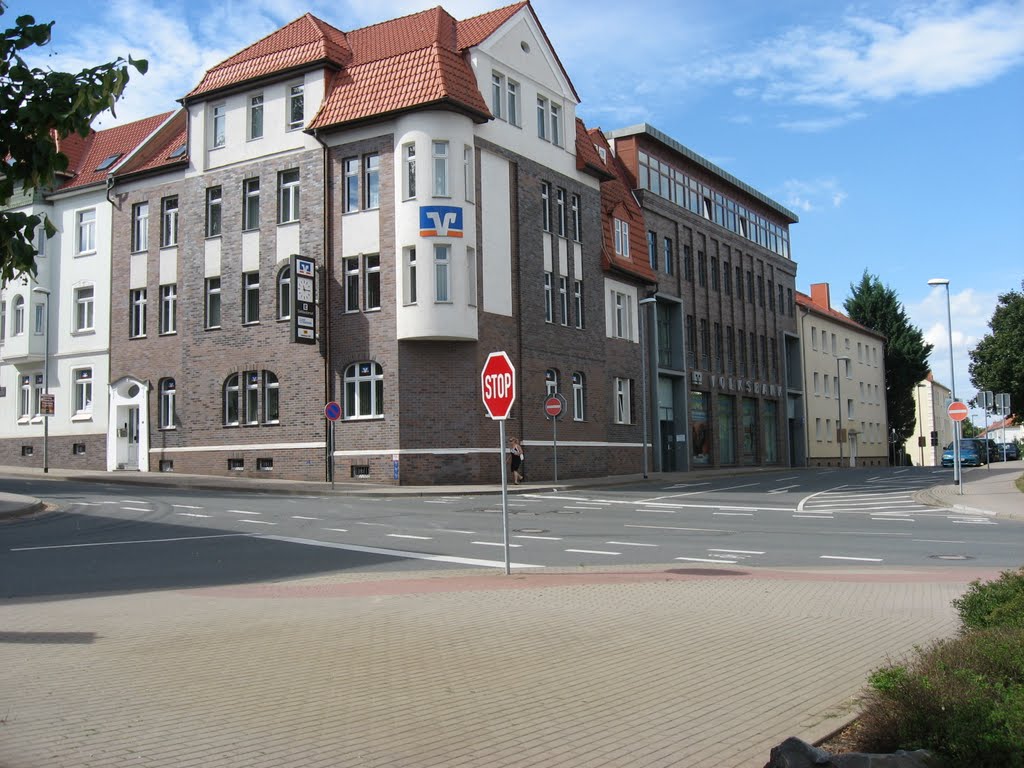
x=944 y=48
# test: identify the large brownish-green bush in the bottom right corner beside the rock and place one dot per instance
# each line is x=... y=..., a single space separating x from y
x=961 y=699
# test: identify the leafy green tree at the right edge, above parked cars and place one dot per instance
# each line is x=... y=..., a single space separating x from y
x=998 y=362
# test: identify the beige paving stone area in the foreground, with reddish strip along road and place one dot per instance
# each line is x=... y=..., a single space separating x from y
x=647 y=667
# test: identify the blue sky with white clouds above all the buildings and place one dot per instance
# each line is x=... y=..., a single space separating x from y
x=894 y=131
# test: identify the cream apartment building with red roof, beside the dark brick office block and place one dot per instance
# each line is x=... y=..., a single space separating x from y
x=844 y=385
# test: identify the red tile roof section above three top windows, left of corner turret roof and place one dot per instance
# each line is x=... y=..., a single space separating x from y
x=305 y=41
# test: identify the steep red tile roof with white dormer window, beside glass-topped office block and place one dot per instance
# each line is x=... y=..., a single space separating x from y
x=618 y=203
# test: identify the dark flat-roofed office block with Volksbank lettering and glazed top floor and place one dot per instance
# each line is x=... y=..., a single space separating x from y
x=726 y=382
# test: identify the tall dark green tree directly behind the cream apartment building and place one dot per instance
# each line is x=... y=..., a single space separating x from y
x=877 y=308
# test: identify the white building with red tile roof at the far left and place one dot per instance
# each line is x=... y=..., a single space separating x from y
x=55 y=328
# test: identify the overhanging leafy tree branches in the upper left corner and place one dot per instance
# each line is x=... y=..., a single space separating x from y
x=37 y=106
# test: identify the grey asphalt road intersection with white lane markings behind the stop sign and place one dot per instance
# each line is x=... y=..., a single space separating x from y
x=103 y=538
